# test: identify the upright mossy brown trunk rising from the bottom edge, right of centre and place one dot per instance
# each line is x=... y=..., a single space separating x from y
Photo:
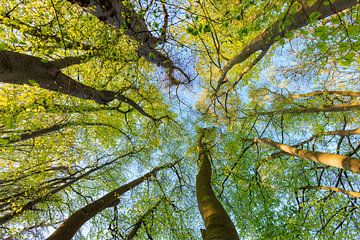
x=217 y=222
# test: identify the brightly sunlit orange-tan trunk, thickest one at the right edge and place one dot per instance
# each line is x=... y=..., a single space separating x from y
x=329 y=159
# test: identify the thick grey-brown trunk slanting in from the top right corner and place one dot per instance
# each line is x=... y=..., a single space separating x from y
x=278 y=30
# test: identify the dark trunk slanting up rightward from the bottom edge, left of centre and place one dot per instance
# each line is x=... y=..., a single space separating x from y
x=73 y=223
